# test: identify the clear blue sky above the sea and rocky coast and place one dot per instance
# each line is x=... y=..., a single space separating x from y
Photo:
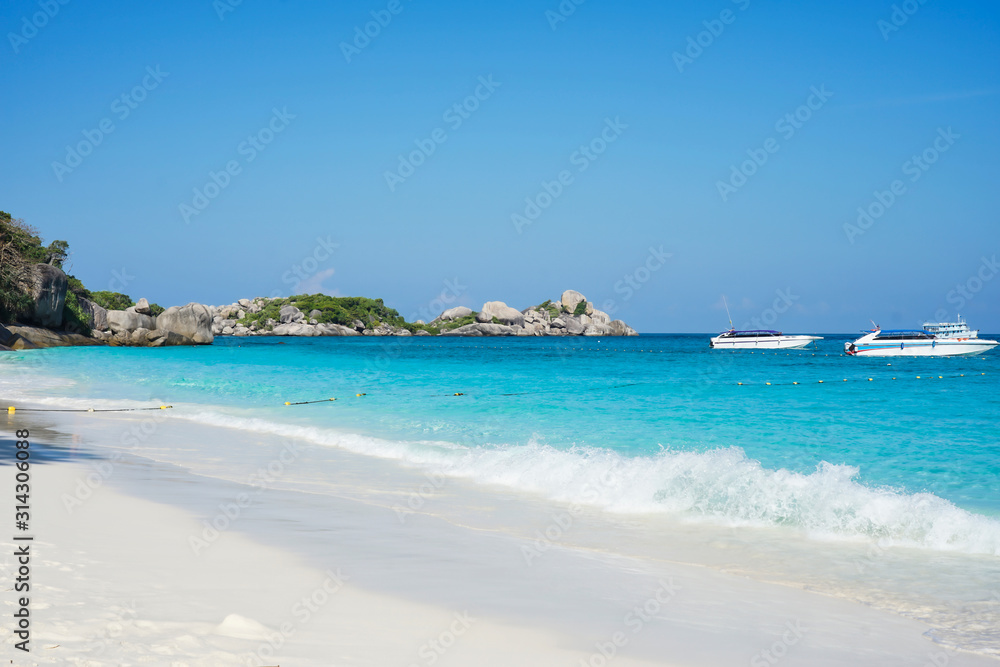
x=587 y=113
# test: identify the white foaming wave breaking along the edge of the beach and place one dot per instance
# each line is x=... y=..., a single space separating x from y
x=723 y=486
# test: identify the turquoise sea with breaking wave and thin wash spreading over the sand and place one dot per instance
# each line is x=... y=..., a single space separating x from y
x=883 y=490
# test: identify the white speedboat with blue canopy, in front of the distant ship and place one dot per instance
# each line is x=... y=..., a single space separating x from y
x=915 y=343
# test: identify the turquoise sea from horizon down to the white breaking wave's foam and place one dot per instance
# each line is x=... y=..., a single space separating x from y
x=906 y=451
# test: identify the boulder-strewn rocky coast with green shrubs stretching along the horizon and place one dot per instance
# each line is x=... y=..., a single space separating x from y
x=42 y=306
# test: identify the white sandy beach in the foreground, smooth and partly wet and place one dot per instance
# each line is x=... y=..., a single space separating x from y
x=337 y=578
